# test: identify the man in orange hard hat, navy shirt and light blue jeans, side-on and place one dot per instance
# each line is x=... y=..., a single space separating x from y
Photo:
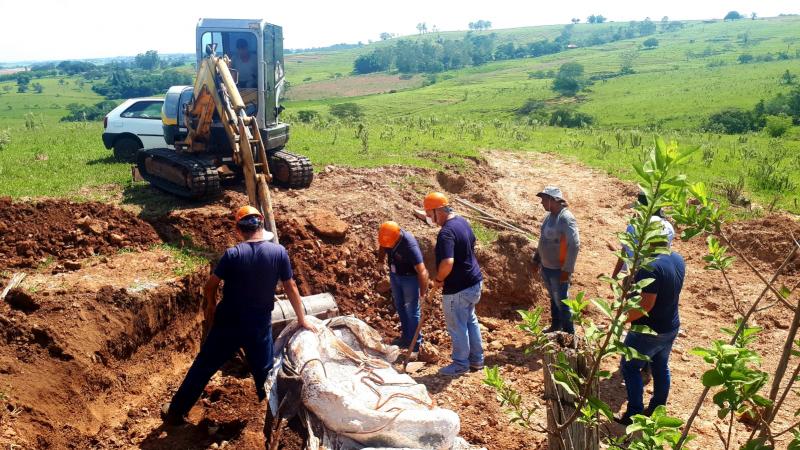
x=459 y=276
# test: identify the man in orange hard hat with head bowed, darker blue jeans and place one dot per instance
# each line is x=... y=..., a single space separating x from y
x=408 y=277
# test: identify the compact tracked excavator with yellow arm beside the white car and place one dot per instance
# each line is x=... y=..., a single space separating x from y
x=226 y=127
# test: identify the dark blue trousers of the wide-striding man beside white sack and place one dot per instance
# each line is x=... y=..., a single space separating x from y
x=221 y=344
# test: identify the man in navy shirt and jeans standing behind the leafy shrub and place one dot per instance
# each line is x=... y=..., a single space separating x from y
x=660 y=303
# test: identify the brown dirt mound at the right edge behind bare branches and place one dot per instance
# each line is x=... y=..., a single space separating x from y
x=768 y=240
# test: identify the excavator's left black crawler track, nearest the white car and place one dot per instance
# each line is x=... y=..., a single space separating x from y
x=179 y=174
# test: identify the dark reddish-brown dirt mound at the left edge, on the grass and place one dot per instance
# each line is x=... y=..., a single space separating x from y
x=32 y=233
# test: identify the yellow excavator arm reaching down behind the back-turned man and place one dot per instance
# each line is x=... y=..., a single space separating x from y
x=216 y=91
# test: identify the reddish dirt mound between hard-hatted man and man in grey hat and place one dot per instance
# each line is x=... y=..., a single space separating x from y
x=508 y=282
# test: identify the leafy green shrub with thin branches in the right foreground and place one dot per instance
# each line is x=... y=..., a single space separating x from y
x=734 y=374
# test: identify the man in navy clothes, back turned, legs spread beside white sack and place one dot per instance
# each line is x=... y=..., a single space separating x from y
x=251 y=271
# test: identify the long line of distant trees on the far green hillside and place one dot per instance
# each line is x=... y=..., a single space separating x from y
x=436 y=55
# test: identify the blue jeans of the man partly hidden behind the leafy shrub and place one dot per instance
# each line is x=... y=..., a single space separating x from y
x=658 y=348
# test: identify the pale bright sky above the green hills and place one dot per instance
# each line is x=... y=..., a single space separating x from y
x=76 y=29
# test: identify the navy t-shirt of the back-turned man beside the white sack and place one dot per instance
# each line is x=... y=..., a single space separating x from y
x=251 y=271
